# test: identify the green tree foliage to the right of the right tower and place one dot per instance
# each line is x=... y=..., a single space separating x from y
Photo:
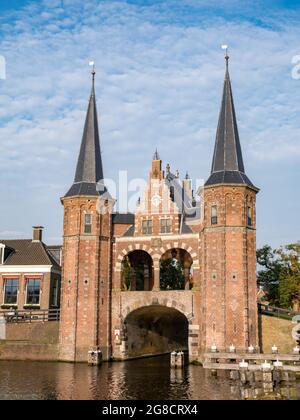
x=280 y=276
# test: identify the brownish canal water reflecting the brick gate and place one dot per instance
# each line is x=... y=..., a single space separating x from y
x=140 y=379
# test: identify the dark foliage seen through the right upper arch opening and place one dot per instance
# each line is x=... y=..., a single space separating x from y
x=171 y=275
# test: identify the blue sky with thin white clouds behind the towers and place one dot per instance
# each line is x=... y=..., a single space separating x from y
x=160 y=72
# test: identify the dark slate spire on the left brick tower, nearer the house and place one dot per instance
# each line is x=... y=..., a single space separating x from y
x=89 y=166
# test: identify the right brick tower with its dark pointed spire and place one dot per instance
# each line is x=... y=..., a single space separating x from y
x=229 y=239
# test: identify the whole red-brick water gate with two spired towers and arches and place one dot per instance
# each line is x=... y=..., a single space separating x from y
x=177 y=274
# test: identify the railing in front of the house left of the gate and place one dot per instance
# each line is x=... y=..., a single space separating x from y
x=39 y=315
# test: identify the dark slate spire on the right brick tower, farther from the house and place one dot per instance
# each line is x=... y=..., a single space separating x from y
x=227 y=166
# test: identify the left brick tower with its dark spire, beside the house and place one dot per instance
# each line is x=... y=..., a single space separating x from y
x=86 y=252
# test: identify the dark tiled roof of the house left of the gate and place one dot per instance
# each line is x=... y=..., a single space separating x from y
x=28 y=252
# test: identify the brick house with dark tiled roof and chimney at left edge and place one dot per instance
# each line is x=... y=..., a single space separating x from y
x=30 y=274
